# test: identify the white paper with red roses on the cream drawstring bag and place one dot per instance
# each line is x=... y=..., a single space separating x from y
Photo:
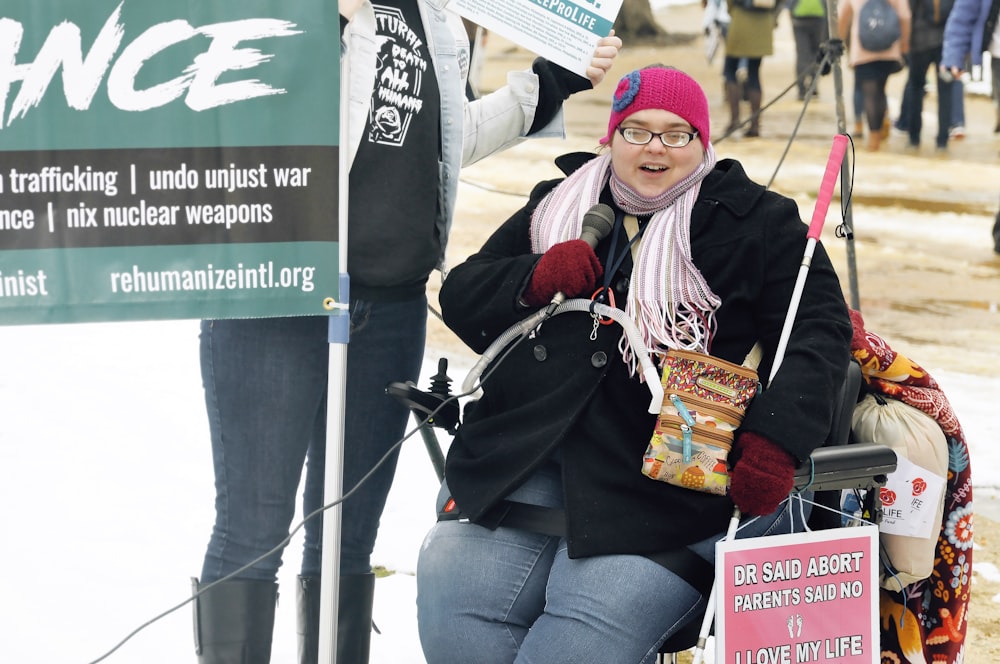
x=910 y=500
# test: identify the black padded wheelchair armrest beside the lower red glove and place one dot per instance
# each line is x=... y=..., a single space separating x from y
x=854 y=466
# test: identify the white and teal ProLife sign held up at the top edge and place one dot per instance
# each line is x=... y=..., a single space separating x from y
x=562 y=31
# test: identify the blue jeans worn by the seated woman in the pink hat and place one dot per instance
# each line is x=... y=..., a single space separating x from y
x=509 y=595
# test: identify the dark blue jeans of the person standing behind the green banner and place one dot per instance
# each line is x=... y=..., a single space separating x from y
x=266 y=390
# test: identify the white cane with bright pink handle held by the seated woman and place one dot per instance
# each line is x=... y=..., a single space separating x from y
x=823 y=198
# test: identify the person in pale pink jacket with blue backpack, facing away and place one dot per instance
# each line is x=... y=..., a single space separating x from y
x=872 y=69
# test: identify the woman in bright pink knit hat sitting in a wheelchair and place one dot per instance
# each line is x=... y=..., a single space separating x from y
x=700 y=258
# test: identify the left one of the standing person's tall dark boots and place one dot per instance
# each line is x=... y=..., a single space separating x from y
x=234 y=622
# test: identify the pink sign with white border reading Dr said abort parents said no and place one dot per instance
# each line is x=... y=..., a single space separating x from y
x=805 y=597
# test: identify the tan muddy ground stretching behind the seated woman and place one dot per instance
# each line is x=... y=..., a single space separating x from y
x=920 y=264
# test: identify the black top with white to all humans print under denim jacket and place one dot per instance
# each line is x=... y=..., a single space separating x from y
x=393 y=244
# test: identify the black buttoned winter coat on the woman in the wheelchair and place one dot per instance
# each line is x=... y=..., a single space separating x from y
x=562 y=392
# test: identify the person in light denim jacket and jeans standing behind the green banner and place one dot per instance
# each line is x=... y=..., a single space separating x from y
x=404 y=65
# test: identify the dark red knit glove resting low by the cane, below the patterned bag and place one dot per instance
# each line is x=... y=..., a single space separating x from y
x=763 y=476
